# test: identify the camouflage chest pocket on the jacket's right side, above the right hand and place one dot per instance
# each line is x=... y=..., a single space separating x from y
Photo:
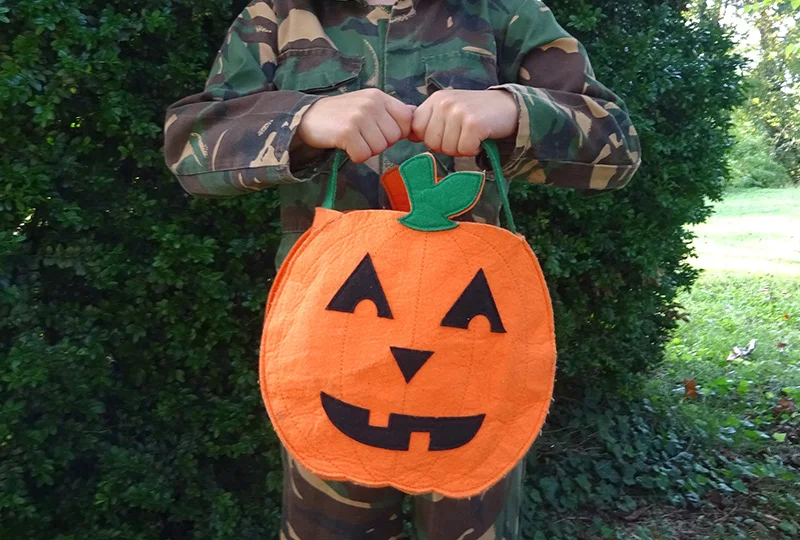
x=460 y=70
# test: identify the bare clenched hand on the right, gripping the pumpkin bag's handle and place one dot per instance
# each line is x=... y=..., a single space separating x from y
x=456 y=122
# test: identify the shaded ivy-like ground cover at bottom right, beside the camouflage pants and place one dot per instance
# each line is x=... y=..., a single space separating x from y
x=602 y=463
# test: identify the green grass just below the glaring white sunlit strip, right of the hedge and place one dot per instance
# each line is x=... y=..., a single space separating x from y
x=754 y=397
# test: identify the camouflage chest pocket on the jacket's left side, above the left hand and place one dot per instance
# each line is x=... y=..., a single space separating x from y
x=318 y=71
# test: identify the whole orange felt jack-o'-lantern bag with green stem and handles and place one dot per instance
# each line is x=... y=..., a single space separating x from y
x=407 y=349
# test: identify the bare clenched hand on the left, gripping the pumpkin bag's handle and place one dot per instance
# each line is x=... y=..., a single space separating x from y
x=362 y=123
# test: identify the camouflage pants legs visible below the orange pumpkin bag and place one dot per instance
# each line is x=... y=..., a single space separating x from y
x=315 y=509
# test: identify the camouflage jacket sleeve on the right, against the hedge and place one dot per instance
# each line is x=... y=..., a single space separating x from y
x=573 y=131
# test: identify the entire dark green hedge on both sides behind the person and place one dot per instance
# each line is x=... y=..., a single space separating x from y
x=130 y=313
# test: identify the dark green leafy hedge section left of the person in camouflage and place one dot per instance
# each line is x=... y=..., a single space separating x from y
x=130 y=314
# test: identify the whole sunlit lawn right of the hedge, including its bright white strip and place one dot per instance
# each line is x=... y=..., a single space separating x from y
x=750 y=250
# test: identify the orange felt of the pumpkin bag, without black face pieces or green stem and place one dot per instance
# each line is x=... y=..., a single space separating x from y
x=307 y=349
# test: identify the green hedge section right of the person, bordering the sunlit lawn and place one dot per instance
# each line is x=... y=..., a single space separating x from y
x=614 y=262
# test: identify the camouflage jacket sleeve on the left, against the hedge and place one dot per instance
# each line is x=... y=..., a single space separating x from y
x=234 y=137
